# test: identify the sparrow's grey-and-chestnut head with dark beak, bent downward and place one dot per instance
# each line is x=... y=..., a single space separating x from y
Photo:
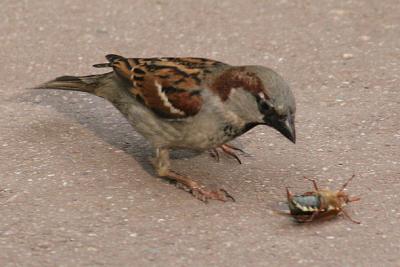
x=261 y=96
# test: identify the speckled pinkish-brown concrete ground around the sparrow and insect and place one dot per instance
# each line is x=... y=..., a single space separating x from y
x=76 y=186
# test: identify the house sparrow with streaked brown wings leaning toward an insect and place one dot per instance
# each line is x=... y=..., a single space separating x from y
x=190 y=103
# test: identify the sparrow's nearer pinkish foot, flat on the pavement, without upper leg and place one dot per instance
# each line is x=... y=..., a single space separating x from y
x=198 y=190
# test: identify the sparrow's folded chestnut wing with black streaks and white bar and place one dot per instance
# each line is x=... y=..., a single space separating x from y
x=170 y=87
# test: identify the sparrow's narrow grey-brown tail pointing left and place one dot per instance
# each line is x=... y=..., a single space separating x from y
x=87 y=84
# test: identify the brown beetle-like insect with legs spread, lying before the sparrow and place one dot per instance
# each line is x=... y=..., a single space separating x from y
x=319 y=204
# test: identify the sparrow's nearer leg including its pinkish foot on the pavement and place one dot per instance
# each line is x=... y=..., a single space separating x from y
x=162 y=165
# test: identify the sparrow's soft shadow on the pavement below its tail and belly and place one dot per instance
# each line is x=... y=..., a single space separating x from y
x=101 y=118
